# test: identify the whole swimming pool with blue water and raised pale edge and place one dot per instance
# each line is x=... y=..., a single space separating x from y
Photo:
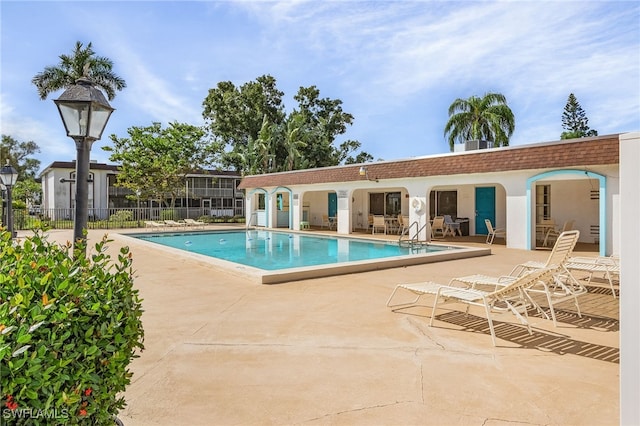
x=275 y=256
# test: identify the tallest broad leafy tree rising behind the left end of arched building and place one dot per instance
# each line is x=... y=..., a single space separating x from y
x=262 y=138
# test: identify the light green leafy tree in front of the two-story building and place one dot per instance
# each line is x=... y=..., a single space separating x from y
x=154 y=161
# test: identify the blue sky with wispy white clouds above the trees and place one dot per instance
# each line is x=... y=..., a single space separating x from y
x=396 y=65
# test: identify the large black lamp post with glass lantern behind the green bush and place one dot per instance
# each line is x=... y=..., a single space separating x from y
x=85 y=112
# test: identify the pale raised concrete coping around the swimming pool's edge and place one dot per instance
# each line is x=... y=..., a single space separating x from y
x=262 y=276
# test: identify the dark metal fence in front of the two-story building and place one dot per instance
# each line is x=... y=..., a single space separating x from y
x=113 y=218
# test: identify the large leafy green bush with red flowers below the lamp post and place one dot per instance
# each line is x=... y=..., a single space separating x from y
x=69 y=328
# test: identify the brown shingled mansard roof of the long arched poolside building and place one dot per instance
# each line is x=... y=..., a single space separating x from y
x=600 y=150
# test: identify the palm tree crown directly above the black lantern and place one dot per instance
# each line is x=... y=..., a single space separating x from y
x=81 y=63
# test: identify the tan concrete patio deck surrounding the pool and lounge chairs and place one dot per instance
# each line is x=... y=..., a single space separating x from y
x=221 y=350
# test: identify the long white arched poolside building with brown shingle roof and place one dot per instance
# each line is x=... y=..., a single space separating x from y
x=514 y=187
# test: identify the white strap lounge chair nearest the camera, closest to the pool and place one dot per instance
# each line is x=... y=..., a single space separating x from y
x=509 y=298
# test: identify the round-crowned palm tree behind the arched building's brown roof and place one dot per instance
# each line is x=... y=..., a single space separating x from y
x=487 y=118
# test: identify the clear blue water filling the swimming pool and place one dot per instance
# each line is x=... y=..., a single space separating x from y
x=269 y=250
